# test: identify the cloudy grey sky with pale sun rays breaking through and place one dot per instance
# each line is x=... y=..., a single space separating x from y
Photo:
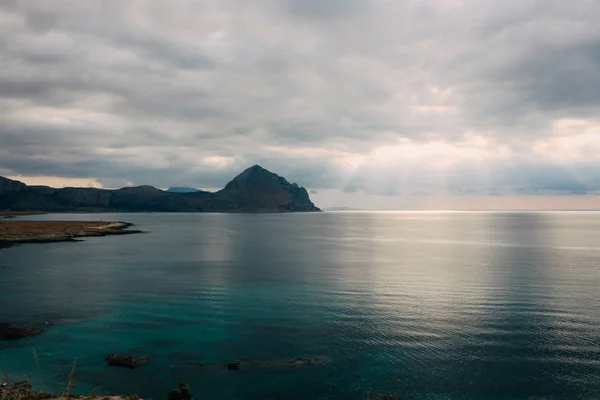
x=376 y=104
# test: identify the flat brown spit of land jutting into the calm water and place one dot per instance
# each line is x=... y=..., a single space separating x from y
x=16 y=231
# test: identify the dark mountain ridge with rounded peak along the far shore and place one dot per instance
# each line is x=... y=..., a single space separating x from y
x=254 y=190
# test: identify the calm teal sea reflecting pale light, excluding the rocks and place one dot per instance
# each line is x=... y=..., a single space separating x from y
x=414 y=305
